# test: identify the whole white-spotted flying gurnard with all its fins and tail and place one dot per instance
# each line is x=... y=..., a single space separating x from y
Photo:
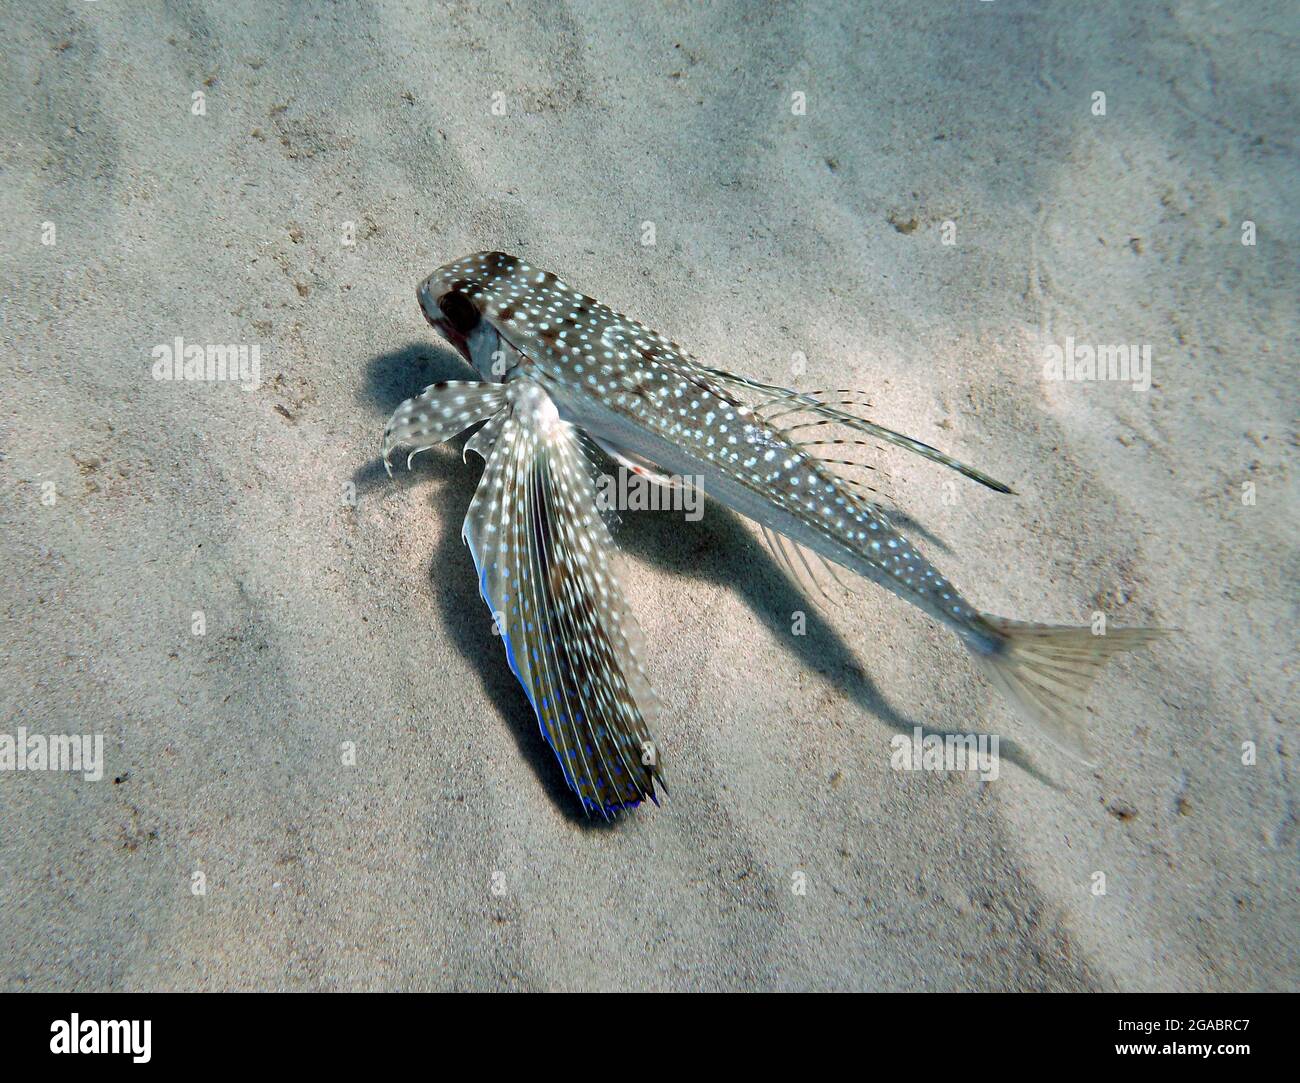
x=567 y=379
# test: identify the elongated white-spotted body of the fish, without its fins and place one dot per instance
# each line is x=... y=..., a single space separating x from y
x=629 y=385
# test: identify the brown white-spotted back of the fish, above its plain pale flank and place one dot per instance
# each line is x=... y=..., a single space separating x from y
x=586 y=348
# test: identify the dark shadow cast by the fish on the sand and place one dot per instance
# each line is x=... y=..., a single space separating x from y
x=718 y=549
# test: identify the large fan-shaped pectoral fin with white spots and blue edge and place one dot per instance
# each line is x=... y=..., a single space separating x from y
x=547 y=568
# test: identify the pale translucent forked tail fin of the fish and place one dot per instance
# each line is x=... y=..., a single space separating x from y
x=1046 y=672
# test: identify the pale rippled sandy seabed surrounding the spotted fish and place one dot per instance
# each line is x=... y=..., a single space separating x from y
x=341 y=610
